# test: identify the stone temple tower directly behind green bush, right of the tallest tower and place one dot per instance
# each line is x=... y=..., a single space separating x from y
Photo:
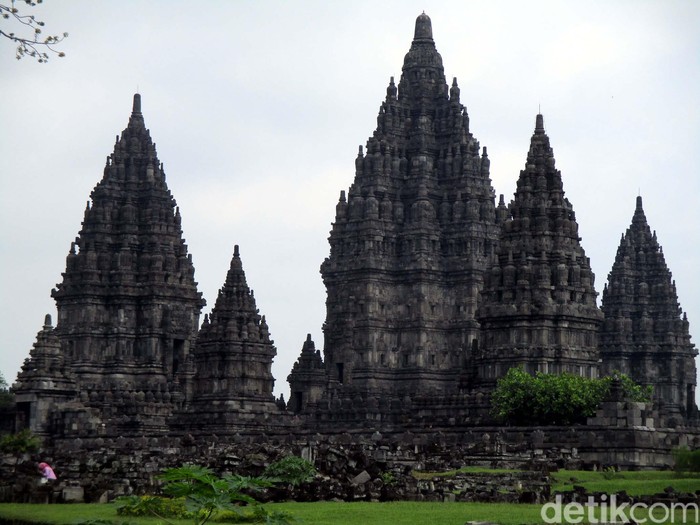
x=538 y=305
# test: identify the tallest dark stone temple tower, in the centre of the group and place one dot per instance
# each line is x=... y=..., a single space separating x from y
x=410 y=240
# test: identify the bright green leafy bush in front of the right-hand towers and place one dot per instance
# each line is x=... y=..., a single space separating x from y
x=556 y=399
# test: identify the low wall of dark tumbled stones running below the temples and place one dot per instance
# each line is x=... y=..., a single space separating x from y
x=354 y=466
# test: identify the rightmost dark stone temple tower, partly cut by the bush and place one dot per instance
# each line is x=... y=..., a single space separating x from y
x=645 y=334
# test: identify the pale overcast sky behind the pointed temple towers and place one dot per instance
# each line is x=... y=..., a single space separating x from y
x=257 y=109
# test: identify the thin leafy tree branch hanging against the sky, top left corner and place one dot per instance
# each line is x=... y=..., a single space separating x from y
x=31 y=42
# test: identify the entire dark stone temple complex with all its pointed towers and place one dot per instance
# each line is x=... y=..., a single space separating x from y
x=434 y=290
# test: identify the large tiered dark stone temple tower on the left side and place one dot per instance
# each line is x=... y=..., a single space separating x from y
x=128 y=305
